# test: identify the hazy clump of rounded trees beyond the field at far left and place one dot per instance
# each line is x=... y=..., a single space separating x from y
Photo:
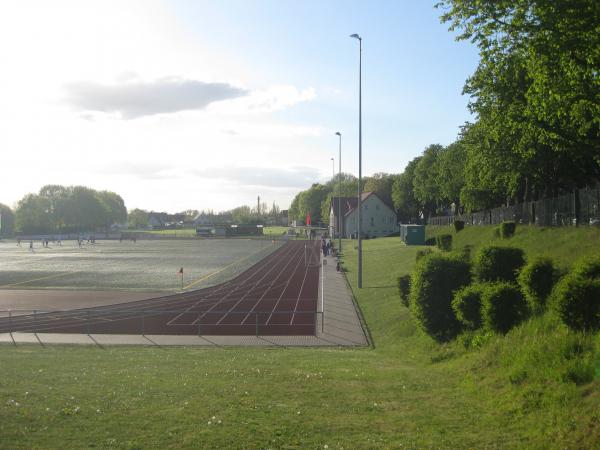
x=64 y=209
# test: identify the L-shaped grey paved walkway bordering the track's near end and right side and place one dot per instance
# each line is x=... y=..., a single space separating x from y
x=338 y=324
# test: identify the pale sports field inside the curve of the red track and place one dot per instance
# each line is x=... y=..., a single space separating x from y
x=147 y=265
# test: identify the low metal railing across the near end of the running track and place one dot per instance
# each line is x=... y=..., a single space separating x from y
x=162 y=321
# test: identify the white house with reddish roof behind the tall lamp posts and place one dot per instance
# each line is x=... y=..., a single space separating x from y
x=378 y=218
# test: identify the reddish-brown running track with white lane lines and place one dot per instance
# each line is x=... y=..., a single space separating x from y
x=276 y=296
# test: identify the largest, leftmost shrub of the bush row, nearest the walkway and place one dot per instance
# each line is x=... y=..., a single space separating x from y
x=433 y=281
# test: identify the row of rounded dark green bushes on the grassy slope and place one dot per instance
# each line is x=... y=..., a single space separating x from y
x=448 y=293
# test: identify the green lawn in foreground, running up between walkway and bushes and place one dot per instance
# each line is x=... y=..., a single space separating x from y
x=407 y=391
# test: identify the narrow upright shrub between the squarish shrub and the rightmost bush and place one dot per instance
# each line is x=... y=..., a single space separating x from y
x=536 y=280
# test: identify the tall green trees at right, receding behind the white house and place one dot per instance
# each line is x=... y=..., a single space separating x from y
x=535 y=96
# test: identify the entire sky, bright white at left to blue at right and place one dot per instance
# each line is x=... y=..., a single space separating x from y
x=199 y=104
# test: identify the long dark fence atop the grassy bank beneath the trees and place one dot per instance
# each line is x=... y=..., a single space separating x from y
x=582 y=207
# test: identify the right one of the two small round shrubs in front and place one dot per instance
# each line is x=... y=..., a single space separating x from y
x=502 y=307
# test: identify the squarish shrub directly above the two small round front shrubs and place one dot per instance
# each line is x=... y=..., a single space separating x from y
x=498 y=263
